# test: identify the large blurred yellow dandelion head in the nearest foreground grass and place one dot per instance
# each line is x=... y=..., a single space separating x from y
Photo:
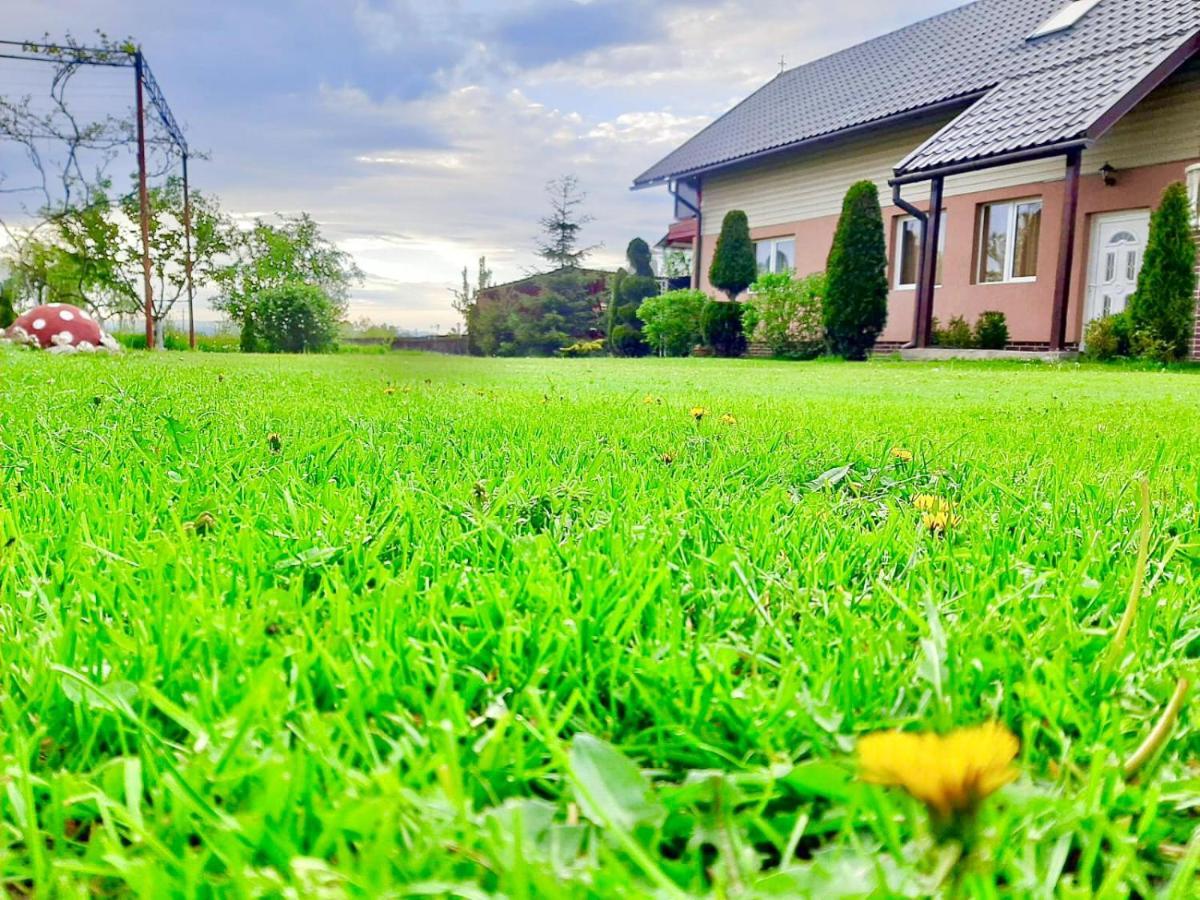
x=951 y=775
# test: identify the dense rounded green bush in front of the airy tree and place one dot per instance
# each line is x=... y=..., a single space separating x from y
x=293 y=319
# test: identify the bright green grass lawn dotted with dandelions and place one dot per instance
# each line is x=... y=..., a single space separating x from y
x=332 y=627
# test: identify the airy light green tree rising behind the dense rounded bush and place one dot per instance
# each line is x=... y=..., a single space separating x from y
x=271 y=256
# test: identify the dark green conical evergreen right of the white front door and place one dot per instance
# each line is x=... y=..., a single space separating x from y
x=1165 y=305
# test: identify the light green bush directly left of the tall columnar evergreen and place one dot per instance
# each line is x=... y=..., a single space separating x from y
x=785 y=314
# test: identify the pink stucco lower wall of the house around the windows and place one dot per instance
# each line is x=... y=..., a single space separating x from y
x=1027 y=305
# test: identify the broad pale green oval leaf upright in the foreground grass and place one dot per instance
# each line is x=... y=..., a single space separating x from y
x=611 y=790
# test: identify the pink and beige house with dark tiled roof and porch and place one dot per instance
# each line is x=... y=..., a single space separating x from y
x=1043 y=131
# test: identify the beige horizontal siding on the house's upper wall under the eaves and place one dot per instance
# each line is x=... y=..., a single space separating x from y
x=1166 y=128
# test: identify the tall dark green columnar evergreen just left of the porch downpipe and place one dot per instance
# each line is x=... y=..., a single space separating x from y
x=856 y=303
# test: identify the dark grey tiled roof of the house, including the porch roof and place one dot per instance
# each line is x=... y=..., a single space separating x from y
x=1034 y=93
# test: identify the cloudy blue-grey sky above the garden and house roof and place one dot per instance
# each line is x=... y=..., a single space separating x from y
x=421 y=135
